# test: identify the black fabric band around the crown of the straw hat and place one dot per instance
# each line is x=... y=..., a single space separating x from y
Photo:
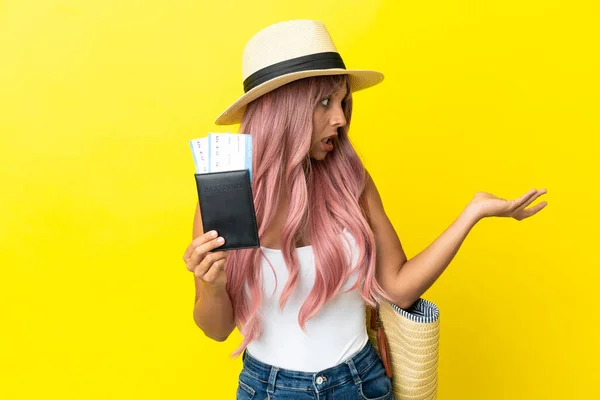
x=326 y=60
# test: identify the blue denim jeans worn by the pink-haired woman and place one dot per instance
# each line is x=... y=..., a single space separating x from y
x=359 y=378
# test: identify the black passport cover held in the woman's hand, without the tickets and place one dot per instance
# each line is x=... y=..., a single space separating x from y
x=227 y=206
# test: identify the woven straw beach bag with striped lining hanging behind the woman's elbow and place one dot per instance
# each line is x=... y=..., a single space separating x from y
x=407 y=340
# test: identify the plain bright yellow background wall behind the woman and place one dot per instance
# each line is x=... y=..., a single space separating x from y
x=98 y=100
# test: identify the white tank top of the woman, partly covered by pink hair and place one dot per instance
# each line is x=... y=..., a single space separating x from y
x=332 y=336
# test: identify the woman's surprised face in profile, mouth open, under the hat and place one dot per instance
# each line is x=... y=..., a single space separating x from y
x=327 y=118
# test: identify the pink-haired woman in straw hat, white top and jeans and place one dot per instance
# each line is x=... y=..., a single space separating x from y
x=327 y=246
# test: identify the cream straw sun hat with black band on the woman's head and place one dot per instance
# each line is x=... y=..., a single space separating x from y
x=285 y=52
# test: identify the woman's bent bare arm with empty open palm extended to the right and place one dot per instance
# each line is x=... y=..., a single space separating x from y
x=406 y=280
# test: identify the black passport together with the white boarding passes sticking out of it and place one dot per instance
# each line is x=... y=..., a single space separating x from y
x=224 y=183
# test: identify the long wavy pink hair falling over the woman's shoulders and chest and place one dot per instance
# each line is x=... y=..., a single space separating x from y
x=324 y=197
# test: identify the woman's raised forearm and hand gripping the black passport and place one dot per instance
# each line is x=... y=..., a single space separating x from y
x=213 y=311
